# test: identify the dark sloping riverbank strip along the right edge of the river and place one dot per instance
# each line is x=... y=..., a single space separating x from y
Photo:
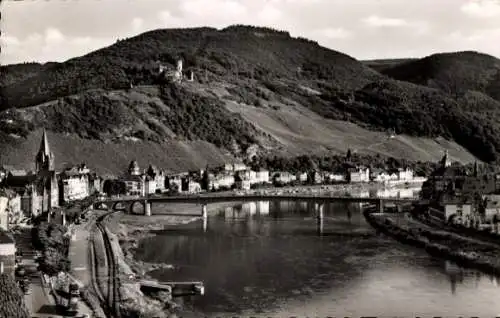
x=465 y=251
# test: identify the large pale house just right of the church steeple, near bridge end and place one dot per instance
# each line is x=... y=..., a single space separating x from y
x=75 y=183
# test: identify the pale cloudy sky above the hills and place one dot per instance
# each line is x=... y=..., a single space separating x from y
x=57 y=30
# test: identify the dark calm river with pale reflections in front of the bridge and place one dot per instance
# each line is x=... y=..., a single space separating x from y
x=267 y=259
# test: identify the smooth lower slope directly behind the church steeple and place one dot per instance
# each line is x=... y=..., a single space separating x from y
x=113 y=158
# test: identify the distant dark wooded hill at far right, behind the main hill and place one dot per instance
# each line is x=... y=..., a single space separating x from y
x=454 y=73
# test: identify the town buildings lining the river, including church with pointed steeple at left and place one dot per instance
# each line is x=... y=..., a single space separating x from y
x=450 y=194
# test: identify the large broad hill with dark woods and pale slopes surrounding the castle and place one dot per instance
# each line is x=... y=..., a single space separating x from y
x=286 y=95
